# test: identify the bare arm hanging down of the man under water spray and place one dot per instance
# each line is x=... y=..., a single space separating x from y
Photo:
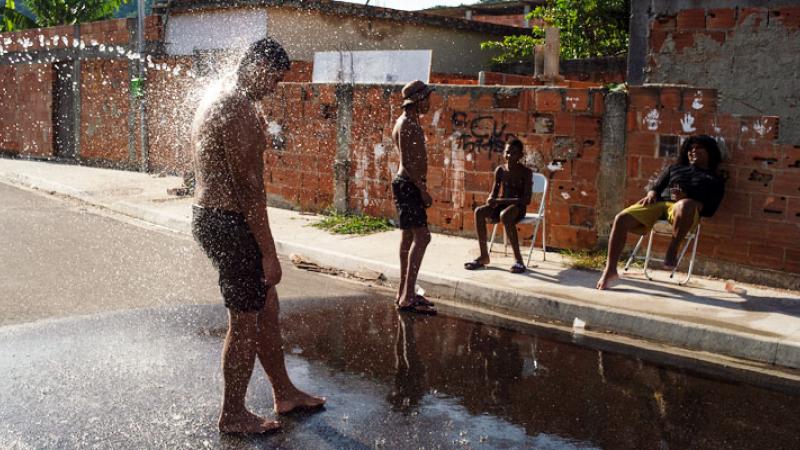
x=244 y=143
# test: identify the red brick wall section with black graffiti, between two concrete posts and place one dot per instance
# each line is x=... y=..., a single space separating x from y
x=463 y=156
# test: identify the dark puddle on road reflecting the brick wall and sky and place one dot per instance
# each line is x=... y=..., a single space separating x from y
x=481 y=386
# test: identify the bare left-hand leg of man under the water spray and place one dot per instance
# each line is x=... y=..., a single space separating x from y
x=238 y=359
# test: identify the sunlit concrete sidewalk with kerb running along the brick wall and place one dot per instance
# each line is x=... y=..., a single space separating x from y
x=762 y=325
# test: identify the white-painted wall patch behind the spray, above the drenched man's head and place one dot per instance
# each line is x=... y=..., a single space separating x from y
x=214 y=30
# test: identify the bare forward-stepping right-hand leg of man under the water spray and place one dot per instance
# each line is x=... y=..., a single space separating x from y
x=270 y=352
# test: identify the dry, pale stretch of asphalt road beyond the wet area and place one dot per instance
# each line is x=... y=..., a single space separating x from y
x=59 y=258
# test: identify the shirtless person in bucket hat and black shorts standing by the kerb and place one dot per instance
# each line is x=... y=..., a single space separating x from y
x=411 y=195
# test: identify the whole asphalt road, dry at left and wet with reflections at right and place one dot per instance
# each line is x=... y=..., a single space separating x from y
x=111 y=338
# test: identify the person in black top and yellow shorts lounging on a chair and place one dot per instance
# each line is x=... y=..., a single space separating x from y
x=695 y=190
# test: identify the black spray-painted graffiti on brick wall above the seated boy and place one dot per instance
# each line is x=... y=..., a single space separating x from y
x=482 y=133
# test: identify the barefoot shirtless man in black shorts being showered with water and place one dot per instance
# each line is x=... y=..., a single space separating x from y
x=230 y=223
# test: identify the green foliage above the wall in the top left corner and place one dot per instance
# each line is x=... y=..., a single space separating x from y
x=49 y=13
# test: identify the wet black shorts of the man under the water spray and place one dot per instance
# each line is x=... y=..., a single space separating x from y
x=233 y=250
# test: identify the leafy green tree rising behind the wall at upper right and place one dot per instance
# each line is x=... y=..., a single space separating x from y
x=589 y=28
